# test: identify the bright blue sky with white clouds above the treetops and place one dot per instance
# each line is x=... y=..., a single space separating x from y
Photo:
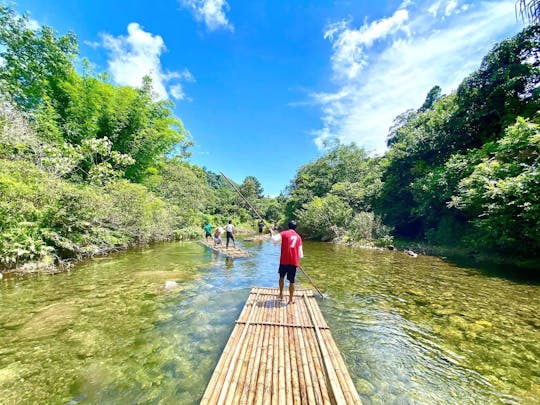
x=263 y=85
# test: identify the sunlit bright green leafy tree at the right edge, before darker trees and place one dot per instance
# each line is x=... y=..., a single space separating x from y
x=501 y=193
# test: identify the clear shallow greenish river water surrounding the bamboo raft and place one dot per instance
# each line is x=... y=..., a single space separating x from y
x=411 y=330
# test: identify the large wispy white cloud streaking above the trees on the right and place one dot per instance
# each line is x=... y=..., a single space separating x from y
x=387 y=66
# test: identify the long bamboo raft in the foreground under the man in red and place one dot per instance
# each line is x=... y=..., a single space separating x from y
x=280 y=354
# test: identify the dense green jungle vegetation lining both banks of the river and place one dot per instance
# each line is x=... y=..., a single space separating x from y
x=87 y=166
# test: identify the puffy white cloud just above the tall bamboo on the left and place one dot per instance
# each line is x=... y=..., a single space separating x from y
x=137 y=55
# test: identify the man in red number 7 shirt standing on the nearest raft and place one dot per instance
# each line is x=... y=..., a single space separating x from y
x=291 y=253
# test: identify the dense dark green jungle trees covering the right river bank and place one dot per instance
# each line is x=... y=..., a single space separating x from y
x=461 y=170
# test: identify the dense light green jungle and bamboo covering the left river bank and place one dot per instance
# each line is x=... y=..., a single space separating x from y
x=87 y=166
